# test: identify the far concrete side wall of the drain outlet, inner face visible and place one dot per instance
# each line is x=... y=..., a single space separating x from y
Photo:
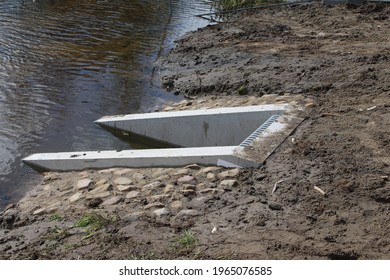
x=197 y=128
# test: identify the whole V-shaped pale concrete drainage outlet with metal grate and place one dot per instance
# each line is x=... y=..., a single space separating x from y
x=230 y=137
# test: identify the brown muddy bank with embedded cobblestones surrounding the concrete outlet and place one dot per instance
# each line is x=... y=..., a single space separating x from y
x=339 y=57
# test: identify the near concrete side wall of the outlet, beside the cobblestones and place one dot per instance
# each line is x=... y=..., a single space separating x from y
x=223 y=156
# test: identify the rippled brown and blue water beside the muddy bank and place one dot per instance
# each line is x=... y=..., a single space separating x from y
x=64 y=64
